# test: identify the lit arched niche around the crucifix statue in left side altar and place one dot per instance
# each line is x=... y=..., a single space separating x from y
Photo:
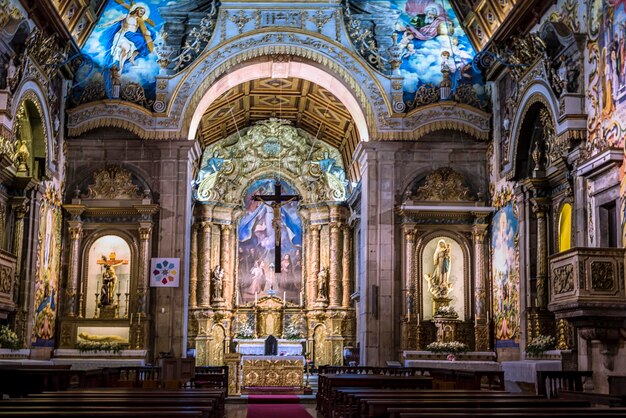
x=109 y=243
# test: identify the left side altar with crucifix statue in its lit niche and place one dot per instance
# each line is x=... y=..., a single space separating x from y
x=109 y=221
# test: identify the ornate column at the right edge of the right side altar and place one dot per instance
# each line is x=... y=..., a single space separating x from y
x=481 y=326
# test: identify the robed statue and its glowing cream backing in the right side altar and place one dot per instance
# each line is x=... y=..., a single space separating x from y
x=442 y=266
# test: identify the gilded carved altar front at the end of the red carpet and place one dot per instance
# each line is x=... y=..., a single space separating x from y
x=272 y=371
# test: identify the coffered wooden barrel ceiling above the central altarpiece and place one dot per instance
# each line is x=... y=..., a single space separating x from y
x=307 y=105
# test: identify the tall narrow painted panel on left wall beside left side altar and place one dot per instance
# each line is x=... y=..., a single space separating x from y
x=48 y=265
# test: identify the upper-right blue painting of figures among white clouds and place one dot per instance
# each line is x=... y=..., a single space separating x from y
x=433 y=42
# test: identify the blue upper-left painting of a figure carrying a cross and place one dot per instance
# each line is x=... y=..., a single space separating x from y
x=122 y=48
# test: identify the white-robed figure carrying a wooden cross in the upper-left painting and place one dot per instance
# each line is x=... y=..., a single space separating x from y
x=128 y=37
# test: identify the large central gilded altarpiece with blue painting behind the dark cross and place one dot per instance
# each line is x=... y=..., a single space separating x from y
x=234 y=287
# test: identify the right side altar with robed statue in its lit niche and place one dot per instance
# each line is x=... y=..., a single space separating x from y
x=444 y=228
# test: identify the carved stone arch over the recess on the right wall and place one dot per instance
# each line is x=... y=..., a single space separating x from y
x=538 y=92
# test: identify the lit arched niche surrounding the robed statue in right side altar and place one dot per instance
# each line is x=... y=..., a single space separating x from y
x=458 y=273
